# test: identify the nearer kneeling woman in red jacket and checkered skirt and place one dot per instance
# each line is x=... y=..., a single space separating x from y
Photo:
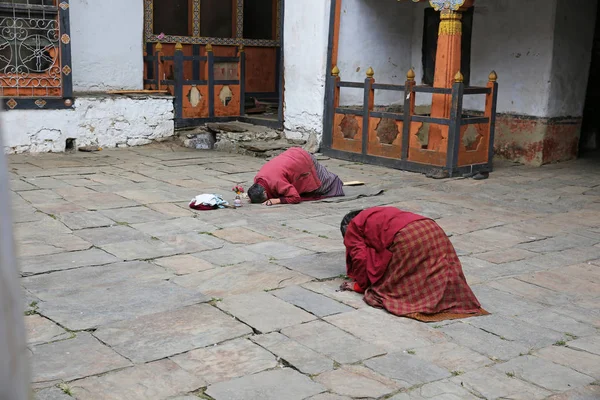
x=405 y=263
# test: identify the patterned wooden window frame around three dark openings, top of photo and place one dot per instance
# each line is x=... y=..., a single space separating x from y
x=195 y=38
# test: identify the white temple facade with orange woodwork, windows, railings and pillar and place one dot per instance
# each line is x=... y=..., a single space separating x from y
x=309 y=67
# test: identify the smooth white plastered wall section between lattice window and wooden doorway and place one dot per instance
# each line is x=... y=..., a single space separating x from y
x=107 y=51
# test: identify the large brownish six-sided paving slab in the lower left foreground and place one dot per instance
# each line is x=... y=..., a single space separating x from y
x=155 y=336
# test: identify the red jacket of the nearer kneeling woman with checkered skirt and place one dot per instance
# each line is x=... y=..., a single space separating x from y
x=367 y=239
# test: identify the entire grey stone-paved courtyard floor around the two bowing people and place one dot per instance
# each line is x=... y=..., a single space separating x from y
x=131 y=295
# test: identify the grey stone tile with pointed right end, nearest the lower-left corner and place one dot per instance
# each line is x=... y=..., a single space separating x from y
x=73 y=359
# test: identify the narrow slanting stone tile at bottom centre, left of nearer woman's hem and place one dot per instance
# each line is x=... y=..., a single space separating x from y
x=300 y=357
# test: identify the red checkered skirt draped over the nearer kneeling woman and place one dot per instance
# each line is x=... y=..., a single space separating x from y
x=424 y=279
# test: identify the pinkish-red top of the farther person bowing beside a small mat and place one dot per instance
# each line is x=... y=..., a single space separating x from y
x=289 y=175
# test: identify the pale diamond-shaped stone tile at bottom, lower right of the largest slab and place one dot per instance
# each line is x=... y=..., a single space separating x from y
x=226 y=361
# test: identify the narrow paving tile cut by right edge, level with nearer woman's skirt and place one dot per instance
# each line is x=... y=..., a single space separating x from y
x=570 y=285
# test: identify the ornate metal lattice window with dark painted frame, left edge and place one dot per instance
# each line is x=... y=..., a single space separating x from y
x=35 y=57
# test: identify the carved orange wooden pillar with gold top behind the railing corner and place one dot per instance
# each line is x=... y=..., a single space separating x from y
x=447 y=64
